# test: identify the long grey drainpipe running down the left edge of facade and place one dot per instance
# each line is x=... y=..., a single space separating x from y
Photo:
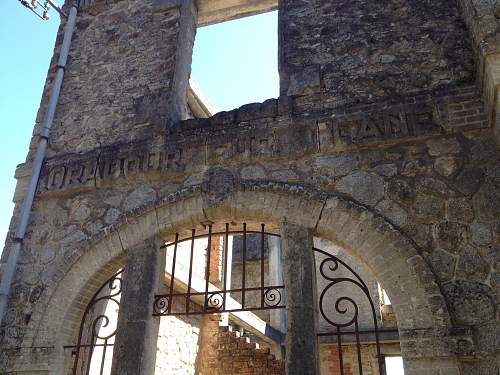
x=10 y=267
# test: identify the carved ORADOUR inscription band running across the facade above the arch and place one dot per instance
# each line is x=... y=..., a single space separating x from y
x=248 y=144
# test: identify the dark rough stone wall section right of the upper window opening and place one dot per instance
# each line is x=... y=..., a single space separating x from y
x=352 y=51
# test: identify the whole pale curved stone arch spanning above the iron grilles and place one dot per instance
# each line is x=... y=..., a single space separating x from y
x=392 y=257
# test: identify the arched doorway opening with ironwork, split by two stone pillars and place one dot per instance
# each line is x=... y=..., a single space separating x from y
x=224 y=297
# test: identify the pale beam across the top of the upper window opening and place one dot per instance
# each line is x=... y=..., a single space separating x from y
x=216 y=11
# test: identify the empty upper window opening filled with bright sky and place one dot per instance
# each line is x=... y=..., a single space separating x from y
x=236 y=62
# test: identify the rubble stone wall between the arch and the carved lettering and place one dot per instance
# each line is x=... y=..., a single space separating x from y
x=440 y=191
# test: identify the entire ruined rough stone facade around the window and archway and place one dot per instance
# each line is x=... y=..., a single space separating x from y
x=384 y=140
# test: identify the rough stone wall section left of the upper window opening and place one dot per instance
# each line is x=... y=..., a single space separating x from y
x=123 y=73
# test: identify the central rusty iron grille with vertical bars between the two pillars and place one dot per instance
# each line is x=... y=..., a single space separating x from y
x=217 y=294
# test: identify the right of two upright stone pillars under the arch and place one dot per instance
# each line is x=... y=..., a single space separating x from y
x=301 y=342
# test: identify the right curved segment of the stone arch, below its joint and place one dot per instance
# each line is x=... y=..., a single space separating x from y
x=395 y=262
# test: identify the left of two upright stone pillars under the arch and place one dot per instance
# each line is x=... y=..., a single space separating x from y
x=135 y=342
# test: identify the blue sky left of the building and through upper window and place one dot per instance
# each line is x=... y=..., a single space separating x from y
x=234 y=63
